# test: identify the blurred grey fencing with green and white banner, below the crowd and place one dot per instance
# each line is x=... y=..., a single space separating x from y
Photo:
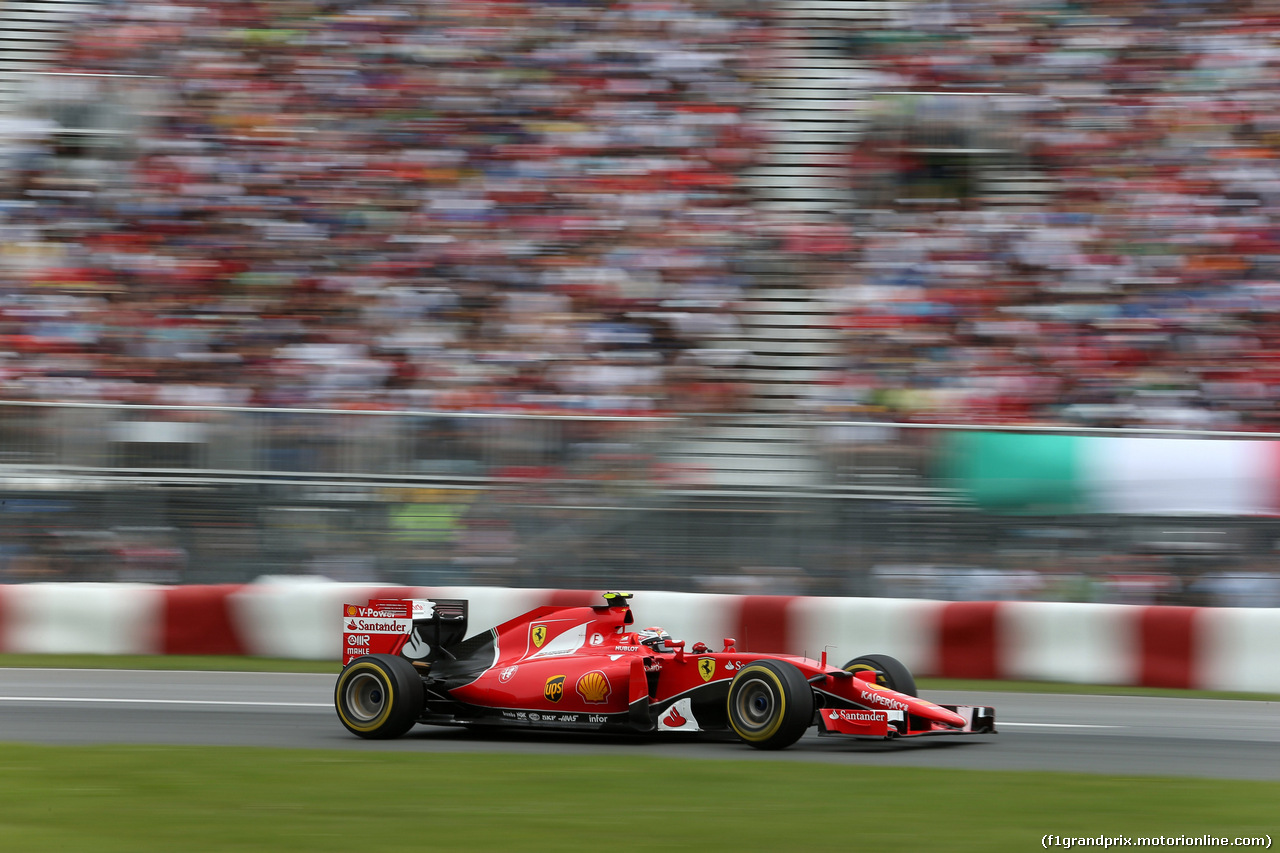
x=195 y=495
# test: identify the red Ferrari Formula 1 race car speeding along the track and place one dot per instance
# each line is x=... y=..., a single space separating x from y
x=588 y=669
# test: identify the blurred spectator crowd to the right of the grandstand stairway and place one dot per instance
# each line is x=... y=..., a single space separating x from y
x=1140 y=288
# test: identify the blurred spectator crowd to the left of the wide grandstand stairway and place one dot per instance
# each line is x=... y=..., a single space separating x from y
x=461 y=204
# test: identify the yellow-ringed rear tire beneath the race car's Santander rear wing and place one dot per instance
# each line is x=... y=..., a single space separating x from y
x=380 y=696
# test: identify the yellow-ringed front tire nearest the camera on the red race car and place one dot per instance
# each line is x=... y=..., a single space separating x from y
x=770 y=705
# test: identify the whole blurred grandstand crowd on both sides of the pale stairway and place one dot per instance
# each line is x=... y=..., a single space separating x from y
x=541 y=206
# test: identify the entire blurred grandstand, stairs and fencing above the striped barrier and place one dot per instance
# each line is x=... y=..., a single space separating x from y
x=963 y=300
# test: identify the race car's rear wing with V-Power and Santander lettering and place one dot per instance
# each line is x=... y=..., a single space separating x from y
x=419 y=630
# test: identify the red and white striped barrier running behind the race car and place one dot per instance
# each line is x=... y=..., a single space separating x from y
x=298 y=618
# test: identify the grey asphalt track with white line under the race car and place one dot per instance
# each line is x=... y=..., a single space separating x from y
x=1101 y=735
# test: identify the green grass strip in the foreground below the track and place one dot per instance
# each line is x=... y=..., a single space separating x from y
x=164 y=799
